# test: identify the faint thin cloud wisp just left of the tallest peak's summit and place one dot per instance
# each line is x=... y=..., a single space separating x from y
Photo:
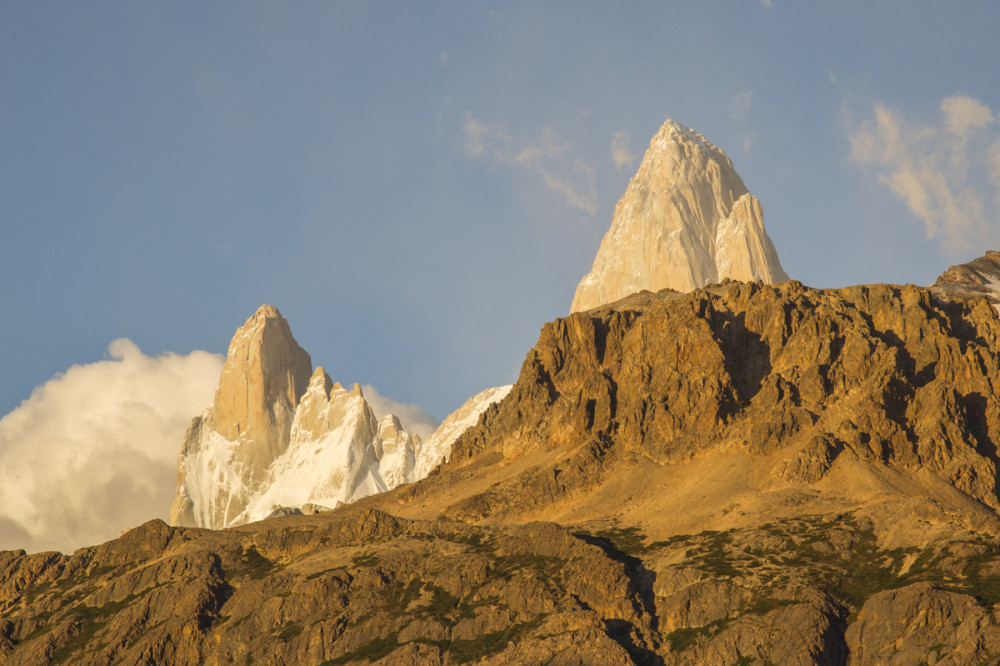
x=546 y=155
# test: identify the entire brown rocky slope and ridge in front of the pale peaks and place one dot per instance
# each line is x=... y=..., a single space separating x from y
x=743 y=474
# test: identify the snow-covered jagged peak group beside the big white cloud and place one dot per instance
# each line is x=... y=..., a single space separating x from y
x=279 y=436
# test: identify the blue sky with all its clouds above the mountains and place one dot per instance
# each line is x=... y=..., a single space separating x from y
x=418 y=187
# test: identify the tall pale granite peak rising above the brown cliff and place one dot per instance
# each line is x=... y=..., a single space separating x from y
x=685 y=221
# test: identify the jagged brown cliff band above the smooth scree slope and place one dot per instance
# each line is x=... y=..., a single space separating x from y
x=882 y=372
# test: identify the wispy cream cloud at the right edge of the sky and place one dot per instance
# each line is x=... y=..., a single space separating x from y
x=947 y=172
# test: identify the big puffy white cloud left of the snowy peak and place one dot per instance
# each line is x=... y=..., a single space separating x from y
x=94 y=450
